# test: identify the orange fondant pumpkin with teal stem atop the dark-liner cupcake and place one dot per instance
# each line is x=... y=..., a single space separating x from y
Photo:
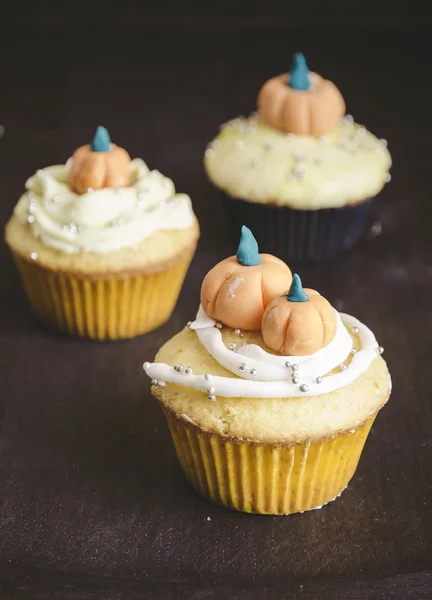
x=301 y=102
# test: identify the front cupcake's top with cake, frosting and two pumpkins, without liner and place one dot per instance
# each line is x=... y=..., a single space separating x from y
x=261 y=342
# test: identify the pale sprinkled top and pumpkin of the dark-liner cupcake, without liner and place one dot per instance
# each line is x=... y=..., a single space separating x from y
x=299 y=150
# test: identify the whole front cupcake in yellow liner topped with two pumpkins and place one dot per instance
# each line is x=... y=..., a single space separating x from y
x=270 y=393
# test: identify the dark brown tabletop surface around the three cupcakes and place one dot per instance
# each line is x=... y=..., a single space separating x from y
x=92 y=502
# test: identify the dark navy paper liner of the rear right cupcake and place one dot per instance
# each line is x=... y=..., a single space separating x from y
x=304 y=235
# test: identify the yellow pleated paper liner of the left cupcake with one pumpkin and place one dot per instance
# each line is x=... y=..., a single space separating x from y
x=102 y=309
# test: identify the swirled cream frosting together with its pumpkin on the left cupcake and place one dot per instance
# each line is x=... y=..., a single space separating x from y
x=101 y=201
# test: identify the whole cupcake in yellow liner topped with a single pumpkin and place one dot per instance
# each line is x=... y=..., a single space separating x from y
x=102 y=243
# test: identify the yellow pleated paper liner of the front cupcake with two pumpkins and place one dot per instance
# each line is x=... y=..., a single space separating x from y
x=266 y=478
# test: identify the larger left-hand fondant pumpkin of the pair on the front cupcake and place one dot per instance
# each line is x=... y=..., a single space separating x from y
x=237 y=290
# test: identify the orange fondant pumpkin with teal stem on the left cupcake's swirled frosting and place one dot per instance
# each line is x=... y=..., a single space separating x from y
x=99 y=165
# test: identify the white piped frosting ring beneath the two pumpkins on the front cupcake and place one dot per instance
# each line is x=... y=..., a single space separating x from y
x=270 y=377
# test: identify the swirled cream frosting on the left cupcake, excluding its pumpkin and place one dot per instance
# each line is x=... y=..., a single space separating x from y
x=105 y=220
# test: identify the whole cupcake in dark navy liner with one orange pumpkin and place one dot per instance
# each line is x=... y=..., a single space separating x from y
x=298 y=172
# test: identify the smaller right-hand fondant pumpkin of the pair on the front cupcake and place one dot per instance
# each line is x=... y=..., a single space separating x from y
x=298 y=323
